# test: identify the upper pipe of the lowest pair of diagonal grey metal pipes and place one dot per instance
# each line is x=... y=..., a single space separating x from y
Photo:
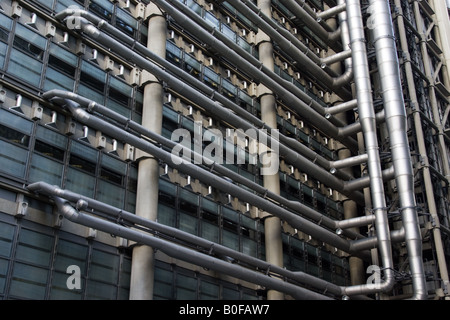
x=163 y=230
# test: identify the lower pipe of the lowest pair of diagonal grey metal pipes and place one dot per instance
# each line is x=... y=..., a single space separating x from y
x=182 y=253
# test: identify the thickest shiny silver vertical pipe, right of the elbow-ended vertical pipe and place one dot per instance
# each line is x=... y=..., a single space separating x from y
x=387 y=61
